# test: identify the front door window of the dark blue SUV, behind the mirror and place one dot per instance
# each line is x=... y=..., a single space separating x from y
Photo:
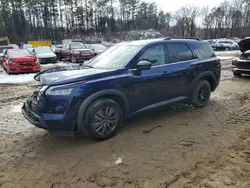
x=154 y=54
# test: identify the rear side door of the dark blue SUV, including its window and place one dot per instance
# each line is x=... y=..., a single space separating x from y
x=180 y=60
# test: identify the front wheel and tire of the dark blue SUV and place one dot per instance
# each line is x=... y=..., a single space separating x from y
x=103 y=119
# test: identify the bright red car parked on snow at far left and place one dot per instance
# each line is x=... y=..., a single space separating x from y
x=20 y=61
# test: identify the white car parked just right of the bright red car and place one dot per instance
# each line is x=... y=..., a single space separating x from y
x=45 y=55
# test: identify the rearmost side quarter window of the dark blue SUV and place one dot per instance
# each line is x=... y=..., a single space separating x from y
x=202 y=50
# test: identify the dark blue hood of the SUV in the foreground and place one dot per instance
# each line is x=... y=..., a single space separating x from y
x=65 y=77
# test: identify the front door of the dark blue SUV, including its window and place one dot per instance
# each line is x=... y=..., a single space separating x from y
x=149 y=87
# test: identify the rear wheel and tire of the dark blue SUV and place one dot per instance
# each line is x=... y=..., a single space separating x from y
x=201 y=94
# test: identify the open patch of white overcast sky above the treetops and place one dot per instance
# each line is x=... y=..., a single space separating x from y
x=173 y=5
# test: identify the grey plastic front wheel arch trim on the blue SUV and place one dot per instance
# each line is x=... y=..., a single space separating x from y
x=118 y=96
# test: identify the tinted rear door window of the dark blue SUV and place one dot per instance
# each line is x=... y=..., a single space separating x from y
x=179 y=52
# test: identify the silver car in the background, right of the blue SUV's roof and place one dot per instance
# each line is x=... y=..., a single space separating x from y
x=226 y=44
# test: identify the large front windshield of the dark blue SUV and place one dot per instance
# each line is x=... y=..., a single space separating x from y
x=116 y=57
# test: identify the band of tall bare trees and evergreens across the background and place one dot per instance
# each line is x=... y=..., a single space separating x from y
x=23 y=20
